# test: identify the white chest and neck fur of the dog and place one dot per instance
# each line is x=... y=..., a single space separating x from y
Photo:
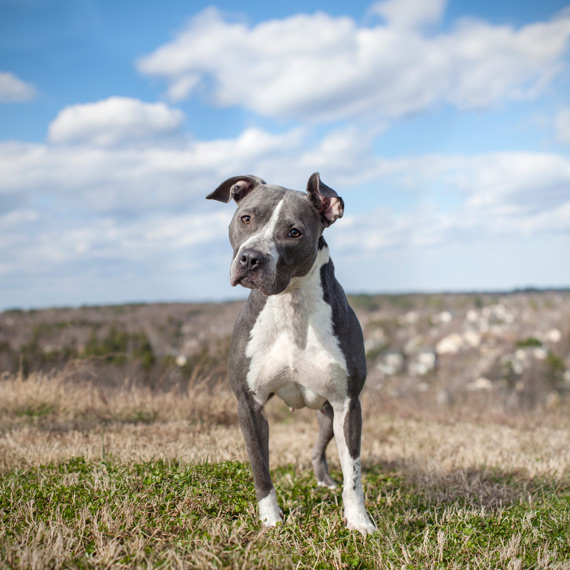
x=292 y=349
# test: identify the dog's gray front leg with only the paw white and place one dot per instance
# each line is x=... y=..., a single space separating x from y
x=255 y=431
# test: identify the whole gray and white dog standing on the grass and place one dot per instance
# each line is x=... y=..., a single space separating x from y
x=296 y=336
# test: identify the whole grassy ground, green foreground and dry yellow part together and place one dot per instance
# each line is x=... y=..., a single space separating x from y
x=135 y=479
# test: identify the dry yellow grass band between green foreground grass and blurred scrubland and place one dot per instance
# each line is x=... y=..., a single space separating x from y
x=47 y=418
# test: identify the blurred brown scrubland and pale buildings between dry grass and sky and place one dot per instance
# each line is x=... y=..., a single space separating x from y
x=429 y=349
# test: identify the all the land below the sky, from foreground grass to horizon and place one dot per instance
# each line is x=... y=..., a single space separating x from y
x=462 y=468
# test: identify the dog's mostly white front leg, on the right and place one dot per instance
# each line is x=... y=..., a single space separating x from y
x=347 y=431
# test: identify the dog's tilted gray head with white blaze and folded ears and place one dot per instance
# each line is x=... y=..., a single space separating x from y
x=275 y=232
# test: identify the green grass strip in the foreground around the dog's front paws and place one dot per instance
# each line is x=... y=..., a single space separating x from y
x=89 y=514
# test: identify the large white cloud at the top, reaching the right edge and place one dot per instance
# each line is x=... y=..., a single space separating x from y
x=322 y=68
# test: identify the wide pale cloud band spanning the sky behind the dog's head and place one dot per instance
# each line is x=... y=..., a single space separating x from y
x=118 y=201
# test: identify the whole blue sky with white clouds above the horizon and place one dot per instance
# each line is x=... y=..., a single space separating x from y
x=444 y=125
